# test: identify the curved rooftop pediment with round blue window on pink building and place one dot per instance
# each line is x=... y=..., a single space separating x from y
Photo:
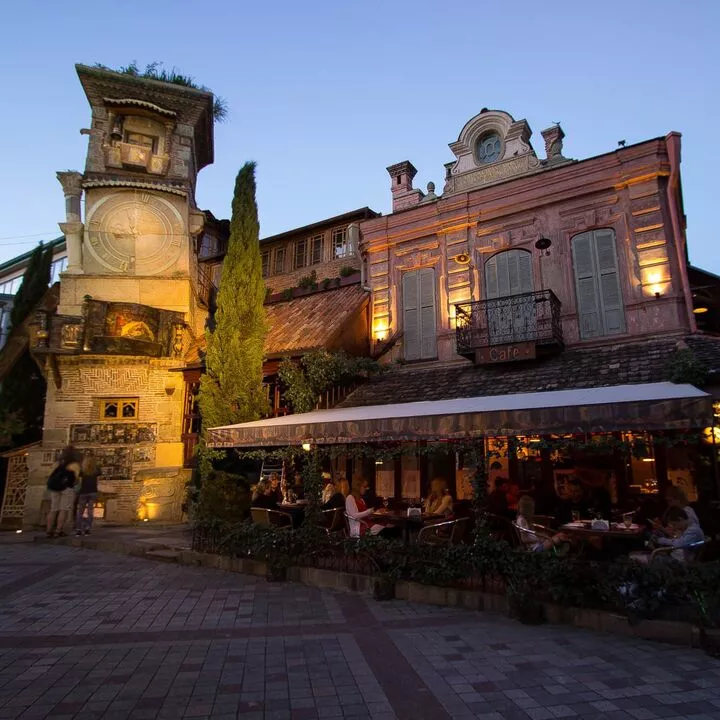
x=492 y=147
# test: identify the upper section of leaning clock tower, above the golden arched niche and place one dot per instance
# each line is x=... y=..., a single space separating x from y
x=147 y=142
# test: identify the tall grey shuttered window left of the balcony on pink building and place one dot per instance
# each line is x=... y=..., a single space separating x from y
x=419 y=326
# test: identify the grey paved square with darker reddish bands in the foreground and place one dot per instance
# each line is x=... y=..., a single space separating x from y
x=84 y=636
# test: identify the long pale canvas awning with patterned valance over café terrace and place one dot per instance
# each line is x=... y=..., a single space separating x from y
x=650 y=406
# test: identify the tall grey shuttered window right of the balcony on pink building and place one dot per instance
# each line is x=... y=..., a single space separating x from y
x=597 y=282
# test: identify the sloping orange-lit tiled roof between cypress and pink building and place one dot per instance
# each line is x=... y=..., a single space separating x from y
x=313 y=321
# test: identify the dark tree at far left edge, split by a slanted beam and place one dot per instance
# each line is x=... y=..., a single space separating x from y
x=22 y=395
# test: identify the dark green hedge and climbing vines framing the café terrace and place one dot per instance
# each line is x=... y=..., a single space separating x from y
x=690 y=592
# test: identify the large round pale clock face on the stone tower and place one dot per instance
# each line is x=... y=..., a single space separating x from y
x=135 y=233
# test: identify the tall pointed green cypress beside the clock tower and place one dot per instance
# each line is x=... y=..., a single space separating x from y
x=231 y=390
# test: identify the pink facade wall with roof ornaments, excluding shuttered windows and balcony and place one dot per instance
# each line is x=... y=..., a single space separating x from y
x=514 y=202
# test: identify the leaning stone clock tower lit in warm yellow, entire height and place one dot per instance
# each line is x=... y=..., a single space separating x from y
x=131 y=301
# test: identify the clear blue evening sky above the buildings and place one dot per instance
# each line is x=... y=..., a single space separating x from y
x=325 y=95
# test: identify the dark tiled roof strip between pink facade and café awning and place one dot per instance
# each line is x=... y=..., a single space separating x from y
x=621 y=364
